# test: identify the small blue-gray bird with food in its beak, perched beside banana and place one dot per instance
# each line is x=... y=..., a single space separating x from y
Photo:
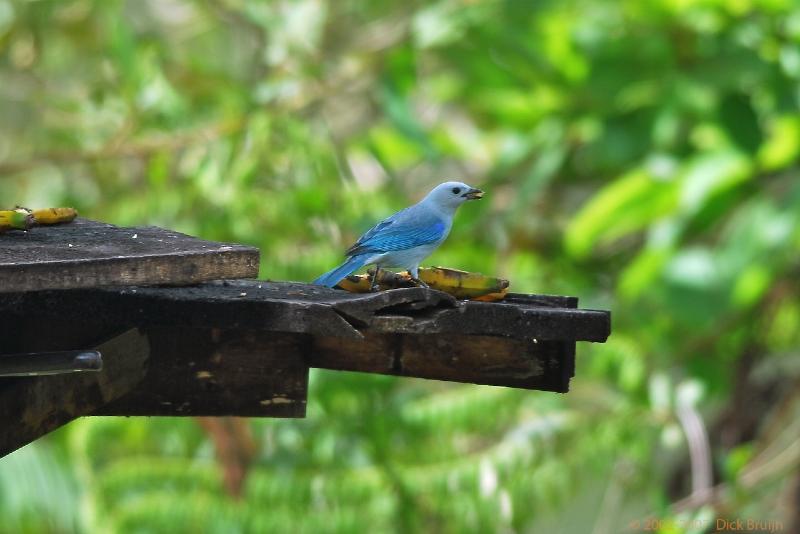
x=406 y=238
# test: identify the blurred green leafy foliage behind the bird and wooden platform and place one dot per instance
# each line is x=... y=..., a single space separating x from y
x=640 y=155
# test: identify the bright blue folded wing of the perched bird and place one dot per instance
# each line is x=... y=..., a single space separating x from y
x=391 y=234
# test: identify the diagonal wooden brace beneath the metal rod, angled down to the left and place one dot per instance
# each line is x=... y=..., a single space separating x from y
x=30 y=407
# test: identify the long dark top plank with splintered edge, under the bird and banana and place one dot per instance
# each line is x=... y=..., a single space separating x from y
x=303 y=308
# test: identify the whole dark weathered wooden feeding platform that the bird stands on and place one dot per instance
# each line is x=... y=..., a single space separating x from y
x=182 y=328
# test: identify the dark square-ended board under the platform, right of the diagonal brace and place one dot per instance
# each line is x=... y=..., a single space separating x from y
x=214 y=372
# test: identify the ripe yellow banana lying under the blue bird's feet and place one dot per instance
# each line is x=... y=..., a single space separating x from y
x=460 y=284
